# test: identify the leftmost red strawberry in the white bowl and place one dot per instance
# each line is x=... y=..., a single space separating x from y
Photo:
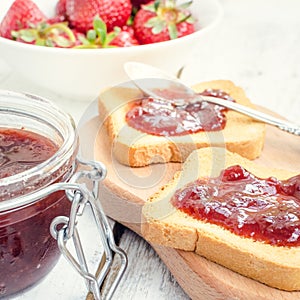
x=21 y=14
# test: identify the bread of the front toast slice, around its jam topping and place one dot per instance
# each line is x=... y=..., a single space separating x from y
x=276 y=266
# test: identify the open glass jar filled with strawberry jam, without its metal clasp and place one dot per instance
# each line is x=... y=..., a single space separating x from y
x=38 y=148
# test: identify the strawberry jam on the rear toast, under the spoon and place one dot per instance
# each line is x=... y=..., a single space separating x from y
x=166 y=118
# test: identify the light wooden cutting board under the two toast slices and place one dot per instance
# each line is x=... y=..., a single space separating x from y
x=126 y=189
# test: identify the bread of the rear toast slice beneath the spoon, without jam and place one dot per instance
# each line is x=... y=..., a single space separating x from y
x=134 y=148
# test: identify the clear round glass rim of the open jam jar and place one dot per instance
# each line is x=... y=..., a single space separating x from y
x=51 y=110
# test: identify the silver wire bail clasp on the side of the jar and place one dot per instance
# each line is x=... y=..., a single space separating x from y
x=81 y=196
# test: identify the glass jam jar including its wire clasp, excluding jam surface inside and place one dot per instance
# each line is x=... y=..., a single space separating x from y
x=41 y=206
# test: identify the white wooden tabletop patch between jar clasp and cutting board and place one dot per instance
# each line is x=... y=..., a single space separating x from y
x=146 y=276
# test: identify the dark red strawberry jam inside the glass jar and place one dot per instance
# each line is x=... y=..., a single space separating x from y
x=27 y=250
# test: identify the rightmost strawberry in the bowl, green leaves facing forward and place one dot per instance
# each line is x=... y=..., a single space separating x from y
x=161 y=21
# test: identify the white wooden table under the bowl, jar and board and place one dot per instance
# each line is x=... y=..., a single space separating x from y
x=257 y=45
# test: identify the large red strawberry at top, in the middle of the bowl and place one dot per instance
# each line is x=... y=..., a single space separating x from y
x=113 y=12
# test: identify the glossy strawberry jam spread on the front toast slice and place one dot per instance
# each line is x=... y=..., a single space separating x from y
x=266 y=210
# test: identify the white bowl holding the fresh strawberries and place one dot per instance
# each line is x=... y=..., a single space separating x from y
x=83 y=73
